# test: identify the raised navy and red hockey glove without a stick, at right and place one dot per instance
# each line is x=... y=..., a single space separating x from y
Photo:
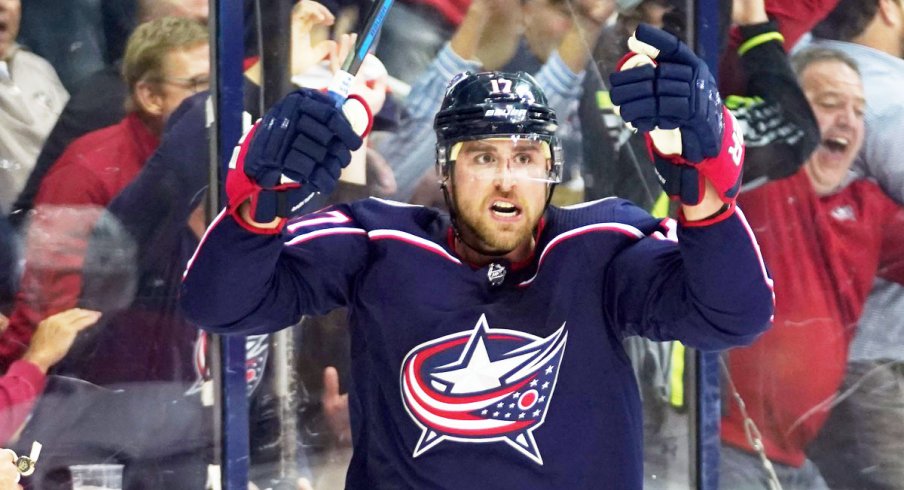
x=664 y=89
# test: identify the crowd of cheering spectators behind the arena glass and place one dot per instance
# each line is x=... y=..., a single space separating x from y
x=104 y=176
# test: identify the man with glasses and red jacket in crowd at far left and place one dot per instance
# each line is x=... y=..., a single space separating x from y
x=166 y=60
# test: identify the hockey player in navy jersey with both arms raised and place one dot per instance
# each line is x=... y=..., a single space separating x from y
x=486 y=344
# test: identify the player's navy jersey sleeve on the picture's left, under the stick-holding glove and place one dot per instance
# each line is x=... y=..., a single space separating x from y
x=241 y=282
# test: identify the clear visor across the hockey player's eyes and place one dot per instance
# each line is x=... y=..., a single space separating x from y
x=523 y=157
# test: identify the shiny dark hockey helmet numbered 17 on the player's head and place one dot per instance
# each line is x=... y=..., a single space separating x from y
x=494 y=104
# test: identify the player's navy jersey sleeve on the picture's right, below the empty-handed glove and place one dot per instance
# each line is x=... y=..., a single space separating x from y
x=710 y=290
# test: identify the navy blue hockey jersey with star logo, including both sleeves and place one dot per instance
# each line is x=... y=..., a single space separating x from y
x=504 y=376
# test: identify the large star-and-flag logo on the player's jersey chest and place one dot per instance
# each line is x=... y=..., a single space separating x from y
x=485 y=385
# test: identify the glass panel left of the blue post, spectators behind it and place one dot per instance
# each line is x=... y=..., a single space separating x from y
x=105 y=227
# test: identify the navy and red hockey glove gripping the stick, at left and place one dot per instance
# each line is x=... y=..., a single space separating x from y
x=298 y=149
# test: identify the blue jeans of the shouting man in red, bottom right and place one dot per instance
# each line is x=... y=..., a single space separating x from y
x=740 y=470
